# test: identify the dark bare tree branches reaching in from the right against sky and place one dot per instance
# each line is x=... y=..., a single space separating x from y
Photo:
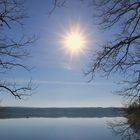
x=122 y=54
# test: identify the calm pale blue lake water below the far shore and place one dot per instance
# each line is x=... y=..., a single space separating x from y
x=57 y=129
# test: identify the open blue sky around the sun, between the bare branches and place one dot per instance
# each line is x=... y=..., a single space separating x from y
x=60 y=78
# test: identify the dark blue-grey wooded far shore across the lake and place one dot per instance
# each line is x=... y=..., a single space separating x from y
x=54 y=112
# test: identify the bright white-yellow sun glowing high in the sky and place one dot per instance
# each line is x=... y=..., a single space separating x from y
x=74 y=40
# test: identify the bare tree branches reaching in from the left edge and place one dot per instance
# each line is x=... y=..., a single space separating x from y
x=11 y=50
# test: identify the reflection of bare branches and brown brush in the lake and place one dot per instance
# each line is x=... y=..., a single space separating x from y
x=127 y=129
